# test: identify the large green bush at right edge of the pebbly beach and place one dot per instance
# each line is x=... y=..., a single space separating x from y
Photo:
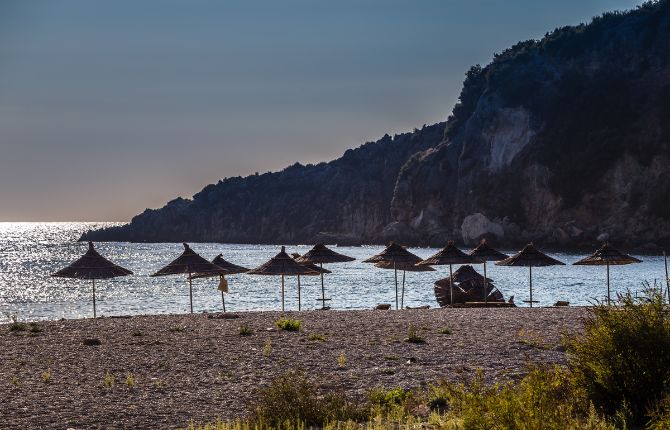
x=622 y=357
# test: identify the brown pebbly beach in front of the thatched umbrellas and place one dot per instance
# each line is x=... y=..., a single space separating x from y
x=163 y=371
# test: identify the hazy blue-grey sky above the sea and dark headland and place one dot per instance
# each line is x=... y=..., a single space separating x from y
x=110 y=107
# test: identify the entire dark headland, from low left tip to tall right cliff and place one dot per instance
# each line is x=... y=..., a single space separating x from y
x=564 y=141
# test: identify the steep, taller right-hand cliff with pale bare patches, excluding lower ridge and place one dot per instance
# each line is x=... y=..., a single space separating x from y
x=561 y=141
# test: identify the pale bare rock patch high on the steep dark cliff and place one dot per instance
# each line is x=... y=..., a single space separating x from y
x=507 y=136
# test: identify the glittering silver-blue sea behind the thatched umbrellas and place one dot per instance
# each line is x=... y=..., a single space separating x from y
x=30 y=252
